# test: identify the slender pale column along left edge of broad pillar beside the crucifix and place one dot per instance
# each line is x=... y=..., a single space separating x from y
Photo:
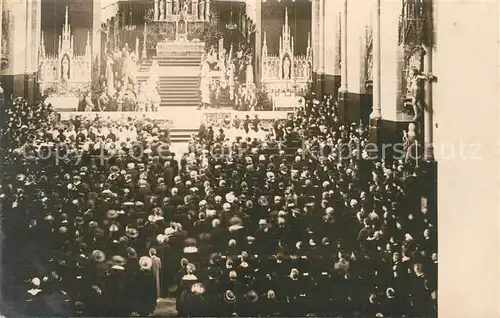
x=376 y=112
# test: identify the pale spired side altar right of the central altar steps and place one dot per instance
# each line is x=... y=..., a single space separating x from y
x=286 y=73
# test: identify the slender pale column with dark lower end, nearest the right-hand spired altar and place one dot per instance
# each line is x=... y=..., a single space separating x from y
x=342 y=97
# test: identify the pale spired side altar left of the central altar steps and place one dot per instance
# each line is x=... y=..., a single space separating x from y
x=65 y=73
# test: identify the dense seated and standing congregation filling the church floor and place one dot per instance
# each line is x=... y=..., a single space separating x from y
x=299 y=222
